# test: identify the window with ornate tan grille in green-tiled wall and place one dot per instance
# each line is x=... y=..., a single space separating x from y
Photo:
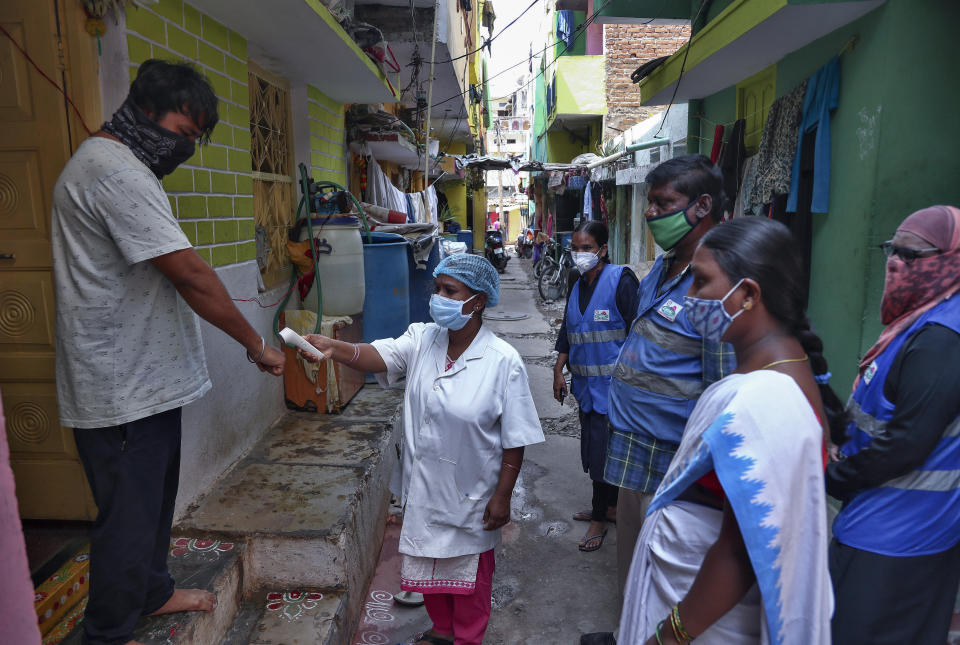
x=272 y=159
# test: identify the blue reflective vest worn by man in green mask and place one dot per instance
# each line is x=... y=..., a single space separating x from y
x=659 y=373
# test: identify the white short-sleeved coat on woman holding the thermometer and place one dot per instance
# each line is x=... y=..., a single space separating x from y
x=456 y=425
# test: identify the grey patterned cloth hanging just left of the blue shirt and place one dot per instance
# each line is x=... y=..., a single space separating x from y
x=778 y=146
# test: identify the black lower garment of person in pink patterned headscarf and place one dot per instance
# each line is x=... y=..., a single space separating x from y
x=885 y=600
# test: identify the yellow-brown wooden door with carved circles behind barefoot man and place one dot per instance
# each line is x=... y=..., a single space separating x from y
x=36 y=139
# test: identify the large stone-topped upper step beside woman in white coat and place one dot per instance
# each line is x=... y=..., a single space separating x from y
x=310 y=500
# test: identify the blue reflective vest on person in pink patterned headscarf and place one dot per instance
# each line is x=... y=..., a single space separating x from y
x=917 y=513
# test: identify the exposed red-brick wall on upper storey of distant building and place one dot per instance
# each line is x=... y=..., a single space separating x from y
x=627 y=47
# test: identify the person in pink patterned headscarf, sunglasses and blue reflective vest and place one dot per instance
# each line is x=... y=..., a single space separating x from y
x=895 y=557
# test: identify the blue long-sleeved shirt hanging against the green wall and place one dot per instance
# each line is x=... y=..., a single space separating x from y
x=823 y=91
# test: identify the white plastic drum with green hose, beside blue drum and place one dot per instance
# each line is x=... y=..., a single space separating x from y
x=340 y=265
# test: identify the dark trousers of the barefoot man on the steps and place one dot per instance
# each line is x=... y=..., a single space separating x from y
x=134 y=471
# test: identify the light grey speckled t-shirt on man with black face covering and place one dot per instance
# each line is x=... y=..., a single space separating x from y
x=127 y=345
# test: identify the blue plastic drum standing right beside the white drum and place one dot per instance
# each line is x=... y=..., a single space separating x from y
x=386 y=308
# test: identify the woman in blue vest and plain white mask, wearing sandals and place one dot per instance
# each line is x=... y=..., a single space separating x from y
x=600 y=307
